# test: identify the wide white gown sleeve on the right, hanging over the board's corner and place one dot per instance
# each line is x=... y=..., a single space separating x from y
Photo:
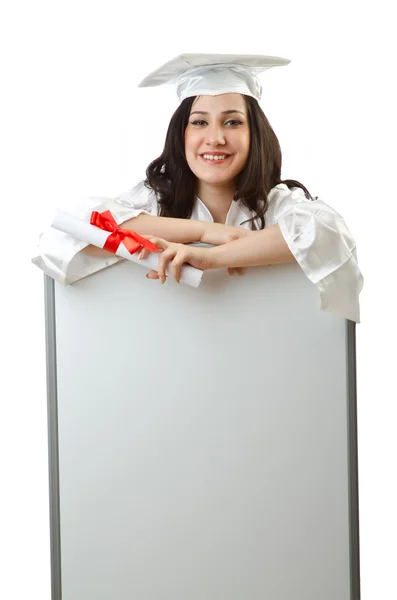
x=322 y=245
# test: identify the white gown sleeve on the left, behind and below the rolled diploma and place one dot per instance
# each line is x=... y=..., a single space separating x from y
x=59 y=254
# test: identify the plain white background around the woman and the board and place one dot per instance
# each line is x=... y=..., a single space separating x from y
x=74 y=124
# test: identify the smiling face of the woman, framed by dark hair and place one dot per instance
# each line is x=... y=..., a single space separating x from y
x=217 y=127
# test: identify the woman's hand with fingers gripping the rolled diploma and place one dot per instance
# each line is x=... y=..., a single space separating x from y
x=175 y=255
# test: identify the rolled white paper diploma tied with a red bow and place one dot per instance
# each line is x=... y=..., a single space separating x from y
x=86 y=232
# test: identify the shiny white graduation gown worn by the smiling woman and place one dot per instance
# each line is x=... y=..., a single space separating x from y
x=315 y=233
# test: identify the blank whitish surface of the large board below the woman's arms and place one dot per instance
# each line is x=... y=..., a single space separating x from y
x=203 y=446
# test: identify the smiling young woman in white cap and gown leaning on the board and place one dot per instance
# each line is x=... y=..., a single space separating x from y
x=218 y=181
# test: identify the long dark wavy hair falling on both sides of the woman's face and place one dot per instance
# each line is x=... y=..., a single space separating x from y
x=170 y=177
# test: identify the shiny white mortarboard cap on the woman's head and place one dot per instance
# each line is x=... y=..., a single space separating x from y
x=213 y=74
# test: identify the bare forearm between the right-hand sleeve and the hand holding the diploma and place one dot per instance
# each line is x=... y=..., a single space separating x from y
x=265 y=247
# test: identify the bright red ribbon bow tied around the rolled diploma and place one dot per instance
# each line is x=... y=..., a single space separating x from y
x=131 y=240
